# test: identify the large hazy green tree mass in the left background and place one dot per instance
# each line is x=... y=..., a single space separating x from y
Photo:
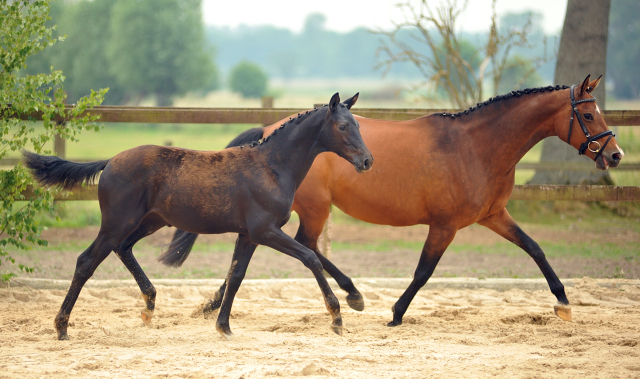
x=146 y=48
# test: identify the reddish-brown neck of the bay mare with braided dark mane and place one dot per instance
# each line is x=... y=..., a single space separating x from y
x=508 y=129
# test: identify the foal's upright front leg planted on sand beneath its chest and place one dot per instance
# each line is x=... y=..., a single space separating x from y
x=241 y=257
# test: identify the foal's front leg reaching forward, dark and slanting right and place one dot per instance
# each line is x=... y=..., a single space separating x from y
x=278 y=240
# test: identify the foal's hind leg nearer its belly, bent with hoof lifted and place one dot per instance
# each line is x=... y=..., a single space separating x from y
x=125 y=252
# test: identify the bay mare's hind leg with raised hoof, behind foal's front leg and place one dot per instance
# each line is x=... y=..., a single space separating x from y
x=312 y=218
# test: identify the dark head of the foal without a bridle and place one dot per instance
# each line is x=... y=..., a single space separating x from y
x=341 y=134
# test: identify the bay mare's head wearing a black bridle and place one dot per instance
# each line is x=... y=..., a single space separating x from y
x=586 y=130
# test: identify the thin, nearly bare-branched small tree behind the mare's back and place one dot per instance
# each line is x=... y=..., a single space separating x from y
x=441 y=56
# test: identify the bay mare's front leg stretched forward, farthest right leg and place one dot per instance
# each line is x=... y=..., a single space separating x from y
x=503 y=224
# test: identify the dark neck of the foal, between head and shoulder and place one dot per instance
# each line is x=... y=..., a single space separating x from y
x=292 y=150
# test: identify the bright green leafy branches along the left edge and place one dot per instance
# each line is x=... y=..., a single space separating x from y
x=23 y=33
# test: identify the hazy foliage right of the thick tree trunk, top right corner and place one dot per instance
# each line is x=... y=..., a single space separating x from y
x=623 y=51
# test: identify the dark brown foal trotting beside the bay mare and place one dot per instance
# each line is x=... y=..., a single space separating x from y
x=247 y=190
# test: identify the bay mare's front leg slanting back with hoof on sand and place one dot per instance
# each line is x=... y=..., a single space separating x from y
x=437 y=242
